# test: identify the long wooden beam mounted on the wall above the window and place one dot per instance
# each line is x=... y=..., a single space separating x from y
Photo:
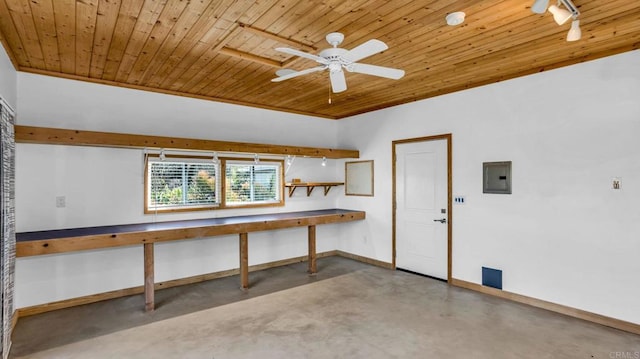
x=55 y=136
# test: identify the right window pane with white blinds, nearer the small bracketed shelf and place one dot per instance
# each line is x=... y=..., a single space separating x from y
x=248 y=183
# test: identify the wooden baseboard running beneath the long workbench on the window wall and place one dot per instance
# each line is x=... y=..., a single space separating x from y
x=93 y=298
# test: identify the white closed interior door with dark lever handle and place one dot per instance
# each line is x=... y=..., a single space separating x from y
x=421 y=207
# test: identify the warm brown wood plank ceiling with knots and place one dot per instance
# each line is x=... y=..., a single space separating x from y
x=224 y=50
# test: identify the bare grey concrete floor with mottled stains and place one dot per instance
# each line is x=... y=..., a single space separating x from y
x=348 y=310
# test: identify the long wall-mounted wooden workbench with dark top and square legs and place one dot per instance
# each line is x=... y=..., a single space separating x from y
x=146 y=234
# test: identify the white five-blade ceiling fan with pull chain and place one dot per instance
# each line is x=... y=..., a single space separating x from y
x=335 y=59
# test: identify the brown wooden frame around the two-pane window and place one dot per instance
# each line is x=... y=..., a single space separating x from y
x=221 y=184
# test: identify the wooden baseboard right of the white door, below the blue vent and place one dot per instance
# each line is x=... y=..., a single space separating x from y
x=554 y=307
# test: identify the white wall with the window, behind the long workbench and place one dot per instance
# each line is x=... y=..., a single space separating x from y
x=104 y=186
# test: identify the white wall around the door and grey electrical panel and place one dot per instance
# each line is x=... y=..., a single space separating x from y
x=563 y=235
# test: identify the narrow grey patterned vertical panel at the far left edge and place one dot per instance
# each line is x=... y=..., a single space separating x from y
x=8 y=247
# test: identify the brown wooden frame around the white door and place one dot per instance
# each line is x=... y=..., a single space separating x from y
x=446 y=137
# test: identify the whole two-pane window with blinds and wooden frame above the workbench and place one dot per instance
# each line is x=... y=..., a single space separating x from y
x=178 y=183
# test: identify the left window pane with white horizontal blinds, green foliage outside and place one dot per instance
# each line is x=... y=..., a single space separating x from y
x=182 y=184
